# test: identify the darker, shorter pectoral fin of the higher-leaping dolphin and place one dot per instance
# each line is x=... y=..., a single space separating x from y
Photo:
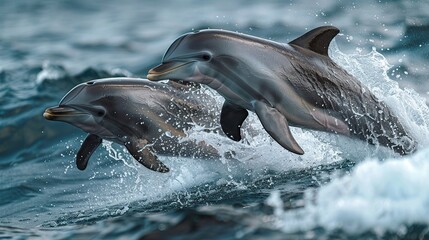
x=231 y=119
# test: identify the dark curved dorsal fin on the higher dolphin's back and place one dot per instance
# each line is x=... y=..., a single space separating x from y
x=317 y=40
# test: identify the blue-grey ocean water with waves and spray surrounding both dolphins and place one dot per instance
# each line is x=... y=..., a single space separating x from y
x=340 y=189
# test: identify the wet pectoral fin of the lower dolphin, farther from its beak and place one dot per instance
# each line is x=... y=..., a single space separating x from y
x=145 y=155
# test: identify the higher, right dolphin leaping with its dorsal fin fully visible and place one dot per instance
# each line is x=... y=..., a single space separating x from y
x=294 y=84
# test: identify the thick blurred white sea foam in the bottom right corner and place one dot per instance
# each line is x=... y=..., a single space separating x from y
x=375 y=196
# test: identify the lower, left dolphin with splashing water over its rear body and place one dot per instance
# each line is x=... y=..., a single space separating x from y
x=148 y=118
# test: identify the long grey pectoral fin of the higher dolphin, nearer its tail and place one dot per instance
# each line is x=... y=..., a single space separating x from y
x=277 y=126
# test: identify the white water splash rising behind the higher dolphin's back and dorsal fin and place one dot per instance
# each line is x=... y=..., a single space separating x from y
x=372 y=70
